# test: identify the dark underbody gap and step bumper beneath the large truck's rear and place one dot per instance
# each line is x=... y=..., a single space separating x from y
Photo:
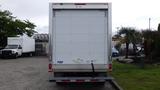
x=79 y=77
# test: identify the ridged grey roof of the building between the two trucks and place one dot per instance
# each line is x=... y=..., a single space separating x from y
x=41 y=37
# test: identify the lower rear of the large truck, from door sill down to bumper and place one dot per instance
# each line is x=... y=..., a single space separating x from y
x=79 y=74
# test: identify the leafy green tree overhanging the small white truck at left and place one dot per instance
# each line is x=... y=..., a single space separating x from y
x=11 y=26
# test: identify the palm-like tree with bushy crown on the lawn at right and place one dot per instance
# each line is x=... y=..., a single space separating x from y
x=129 y=36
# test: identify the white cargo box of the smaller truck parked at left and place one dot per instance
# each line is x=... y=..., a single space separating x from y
x=27 y=43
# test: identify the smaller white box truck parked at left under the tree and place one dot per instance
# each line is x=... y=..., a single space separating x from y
x=16 y=46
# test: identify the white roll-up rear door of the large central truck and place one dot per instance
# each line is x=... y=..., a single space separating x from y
x=80 y=36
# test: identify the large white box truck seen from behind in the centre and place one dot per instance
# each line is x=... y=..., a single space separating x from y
x=80 y=42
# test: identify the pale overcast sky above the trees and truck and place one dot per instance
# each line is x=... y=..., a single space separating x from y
x=125 y=13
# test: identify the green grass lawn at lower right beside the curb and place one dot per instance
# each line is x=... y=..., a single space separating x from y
x=132 y=77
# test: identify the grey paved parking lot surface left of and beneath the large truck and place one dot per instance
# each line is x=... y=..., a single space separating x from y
x=31 y=73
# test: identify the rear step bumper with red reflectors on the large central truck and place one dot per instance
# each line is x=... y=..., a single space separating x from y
x=80 y=79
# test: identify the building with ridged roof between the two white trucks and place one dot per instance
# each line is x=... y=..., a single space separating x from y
x=41 y=44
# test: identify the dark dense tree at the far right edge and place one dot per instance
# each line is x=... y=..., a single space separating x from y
x=151 y=45
